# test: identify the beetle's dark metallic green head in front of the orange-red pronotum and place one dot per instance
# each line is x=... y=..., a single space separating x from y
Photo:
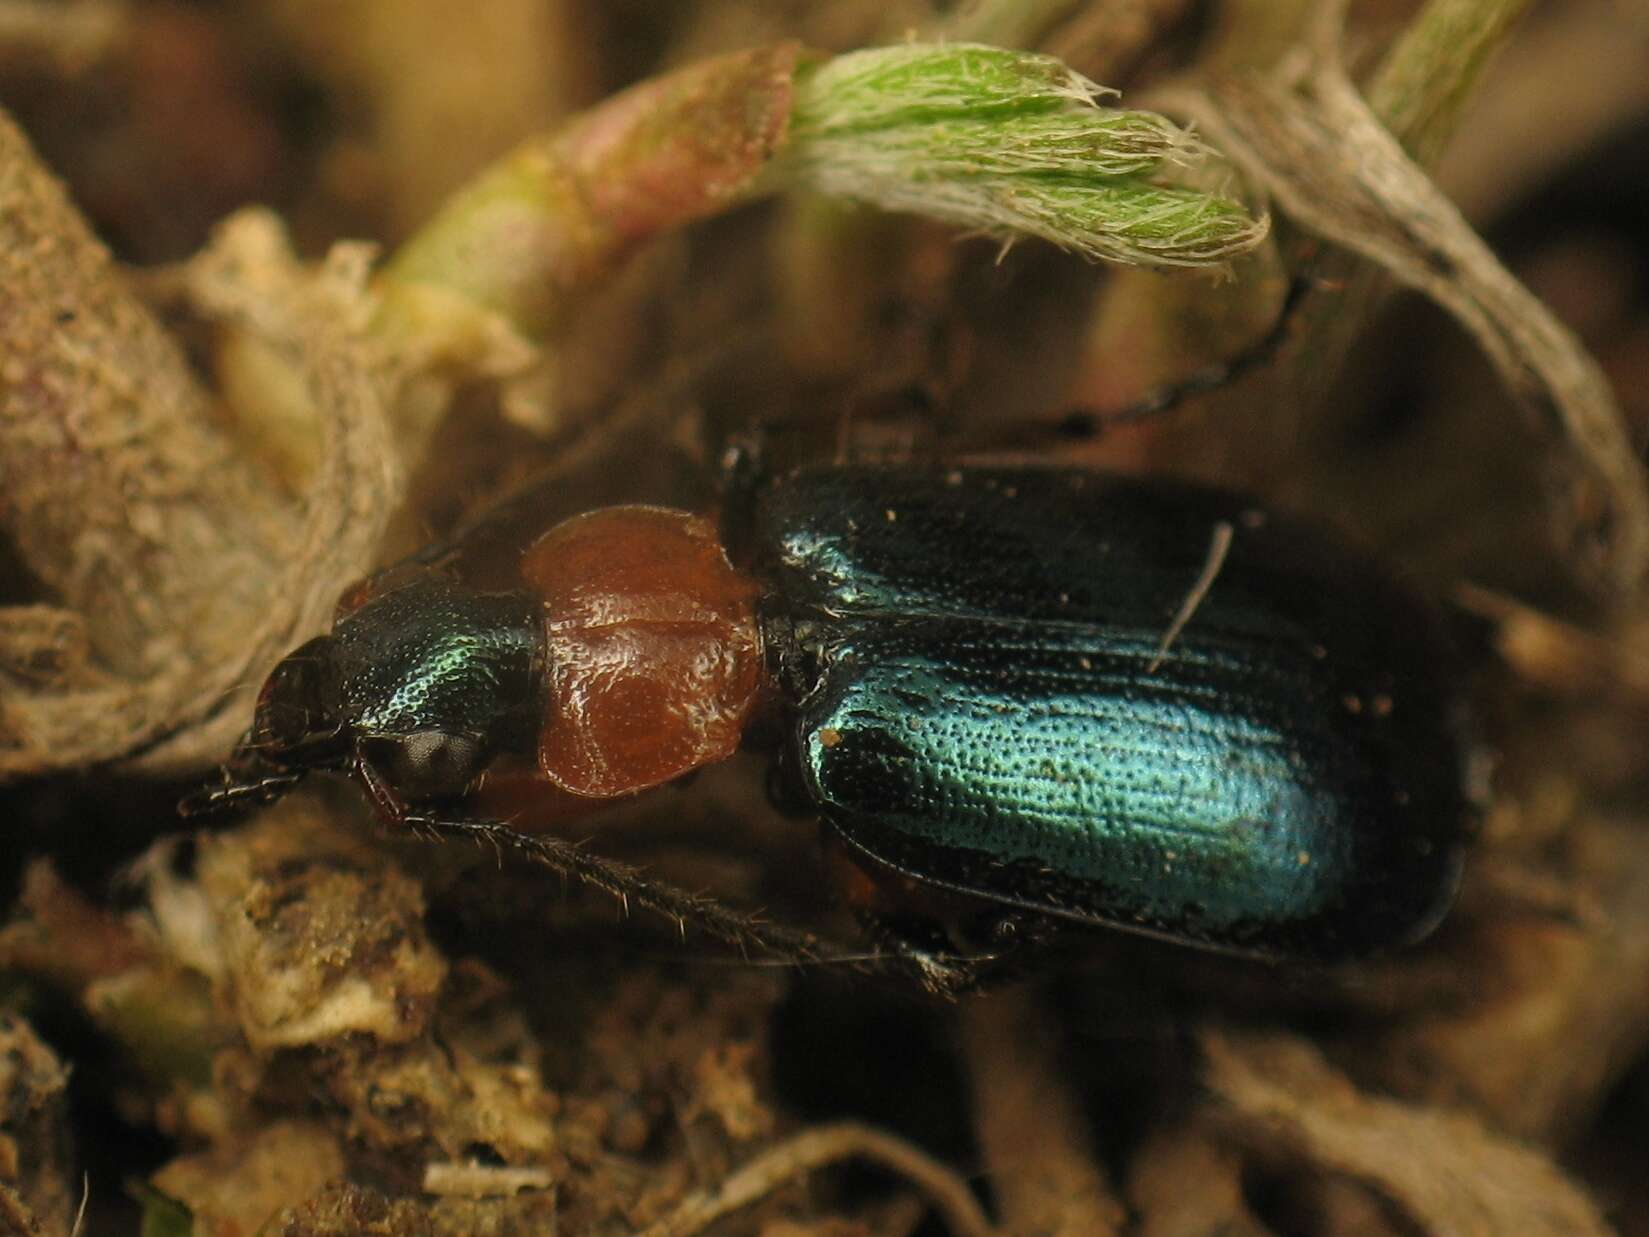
x=418 y=690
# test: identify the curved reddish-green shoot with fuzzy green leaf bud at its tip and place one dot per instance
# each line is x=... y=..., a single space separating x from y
x=994 y=141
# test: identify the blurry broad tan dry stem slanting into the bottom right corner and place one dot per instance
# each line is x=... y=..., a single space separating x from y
x=1447 y=1172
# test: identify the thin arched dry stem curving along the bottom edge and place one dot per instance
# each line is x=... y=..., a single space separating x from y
x=817 y=1149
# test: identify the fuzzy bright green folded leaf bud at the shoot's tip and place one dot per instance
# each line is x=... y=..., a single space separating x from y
x=1010 y=144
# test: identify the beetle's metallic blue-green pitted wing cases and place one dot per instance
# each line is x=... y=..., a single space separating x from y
x=984 y=697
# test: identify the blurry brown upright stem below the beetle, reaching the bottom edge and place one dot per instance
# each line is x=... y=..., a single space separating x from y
x=1033 y=1136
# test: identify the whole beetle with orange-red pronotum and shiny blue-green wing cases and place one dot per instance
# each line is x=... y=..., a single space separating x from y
x=1040 y=695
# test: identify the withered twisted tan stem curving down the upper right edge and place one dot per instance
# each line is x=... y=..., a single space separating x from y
x=1294 y=138
